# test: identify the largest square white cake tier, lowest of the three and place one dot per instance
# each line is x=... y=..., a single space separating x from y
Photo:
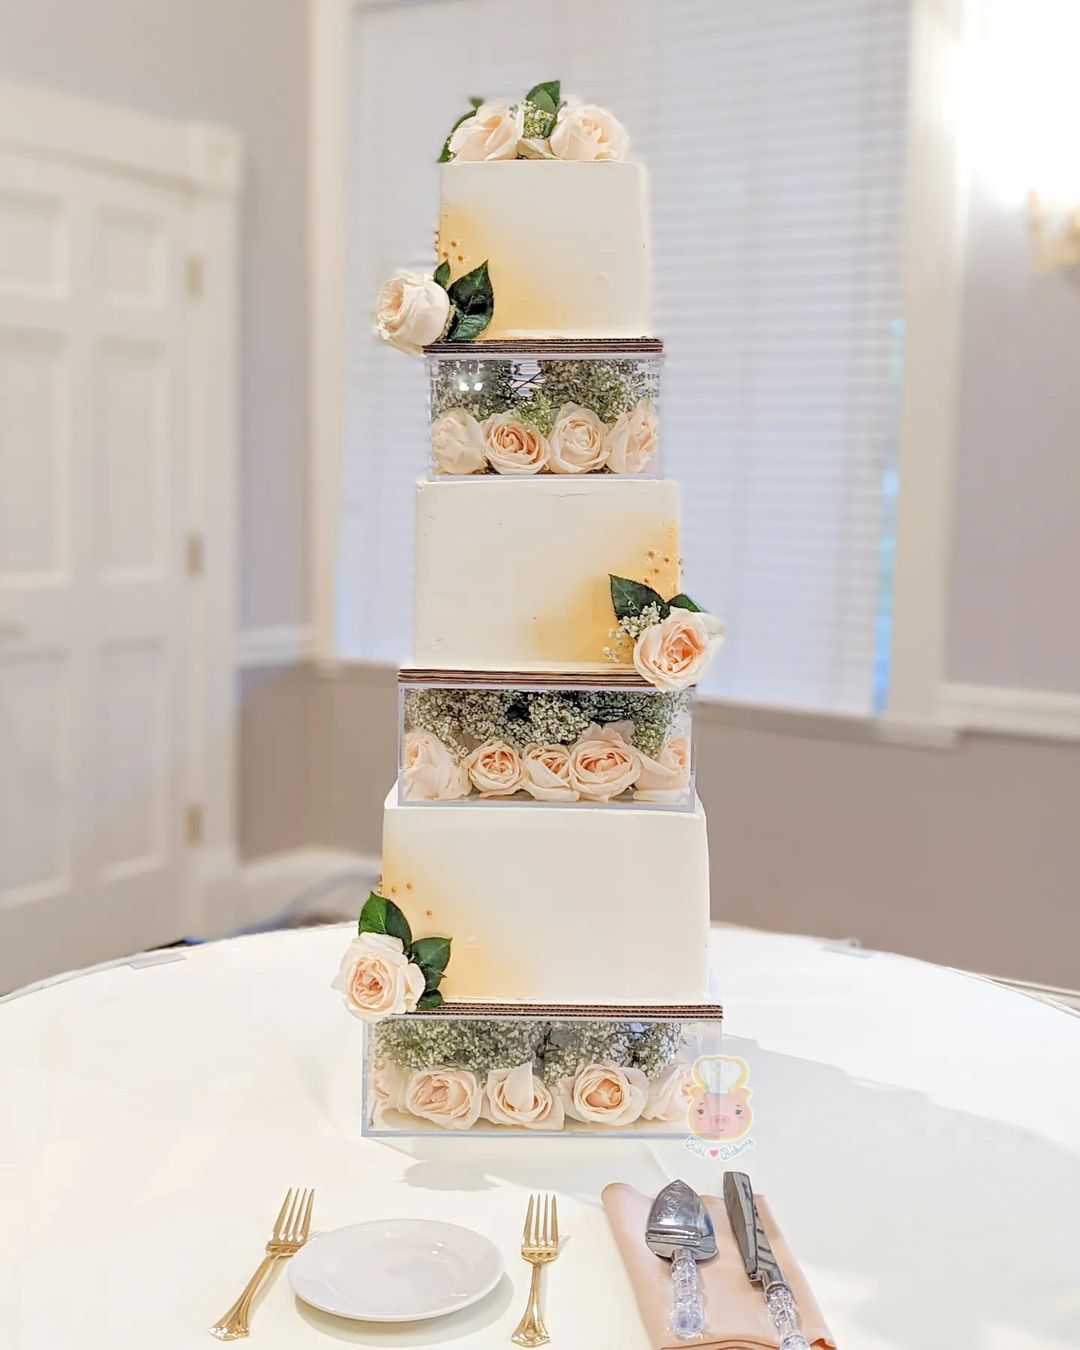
x=603 y=907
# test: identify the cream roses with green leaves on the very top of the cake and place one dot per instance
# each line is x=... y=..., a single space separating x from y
x=541 y=126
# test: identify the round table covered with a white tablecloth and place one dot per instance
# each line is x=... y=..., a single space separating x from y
x=917 y=1133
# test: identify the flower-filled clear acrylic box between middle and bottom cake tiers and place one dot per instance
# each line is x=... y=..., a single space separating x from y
x=556 y=740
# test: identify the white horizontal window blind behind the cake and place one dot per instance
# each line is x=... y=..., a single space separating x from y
x=776 y=141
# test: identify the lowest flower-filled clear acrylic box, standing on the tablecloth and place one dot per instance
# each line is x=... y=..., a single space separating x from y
x=473 y=1069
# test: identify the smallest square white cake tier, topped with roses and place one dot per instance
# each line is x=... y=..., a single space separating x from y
x=566 y=245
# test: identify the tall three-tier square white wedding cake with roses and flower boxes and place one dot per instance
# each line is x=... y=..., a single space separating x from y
x=545 y=847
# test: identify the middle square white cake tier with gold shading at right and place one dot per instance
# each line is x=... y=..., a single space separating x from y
x=514 y=574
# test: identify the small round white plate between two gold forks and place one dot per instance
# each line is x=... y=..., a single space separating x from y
x=395 y=1270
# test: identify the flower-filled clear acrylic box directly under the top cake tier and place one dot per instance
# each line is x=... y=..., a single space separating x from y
x=518 y=408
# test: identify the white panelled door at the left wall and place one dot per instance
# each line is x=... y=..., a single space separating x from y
x=94 y=511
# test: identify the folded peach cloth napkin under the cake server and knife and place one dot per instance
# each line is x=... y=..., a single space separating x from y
x=735 y=1312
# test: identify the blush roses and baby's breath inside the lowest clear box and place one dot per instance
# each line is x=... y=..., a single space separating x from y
x=537 y=1077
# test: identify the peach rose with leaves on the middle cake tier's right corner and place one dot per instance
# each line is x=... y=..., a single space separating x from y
x=674 y=641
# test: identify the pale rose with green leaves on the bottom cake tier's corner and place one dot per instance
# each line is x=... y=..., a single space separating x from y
x=385 y=971
